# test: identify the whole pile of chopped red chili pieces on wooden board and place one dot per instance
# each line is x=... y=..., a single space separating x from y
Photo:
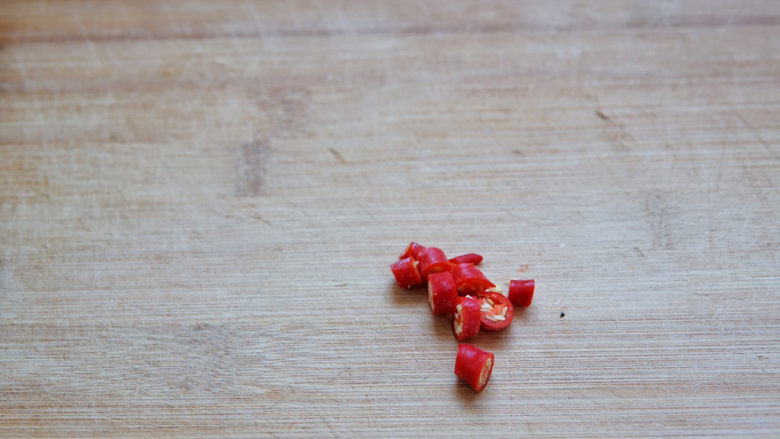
x=458 y=288
